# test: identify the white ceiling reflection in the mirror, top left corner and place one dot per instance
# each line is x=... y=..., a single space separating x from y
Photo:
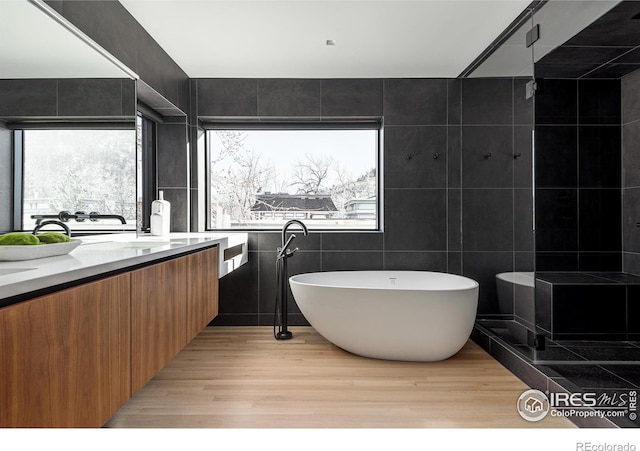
x=33 y=45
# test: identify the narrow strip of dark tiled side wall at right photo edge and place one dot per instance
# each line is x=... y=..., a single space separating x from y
x=631 y=172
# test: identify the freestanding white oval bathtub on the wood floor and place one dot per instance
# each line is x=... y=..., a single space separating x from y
x=393 y=315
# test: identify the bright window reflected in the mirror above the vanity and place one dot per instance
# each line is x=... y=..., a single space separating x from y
x=79 y=171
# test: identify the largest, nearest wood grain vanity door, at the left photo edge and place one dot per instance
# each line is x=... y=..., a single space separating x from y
x=65 y=357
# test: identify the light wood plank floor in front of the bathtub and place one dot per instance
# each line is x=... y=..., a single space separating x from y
x=240 y=377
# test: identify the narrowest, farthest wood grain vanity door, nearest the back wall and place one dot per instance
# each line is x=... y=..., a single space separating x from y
x=202 y=299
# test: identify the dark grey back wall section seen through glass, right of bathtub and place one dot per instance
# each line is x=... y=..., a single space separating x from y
x=497 y=221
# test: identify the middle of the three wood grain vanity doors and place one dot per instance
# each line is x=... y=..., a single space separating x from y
x=158 y=318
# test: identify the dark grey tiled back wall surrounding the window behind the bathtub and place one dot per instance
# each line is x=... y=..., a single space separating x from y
x=429 y=202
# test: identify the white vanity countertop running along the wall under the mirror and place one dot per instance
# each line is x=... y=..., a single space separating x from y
x=102 y=254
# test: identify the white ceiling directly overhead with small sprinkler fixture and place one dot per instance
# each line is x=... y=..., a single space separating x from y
x=287 y=39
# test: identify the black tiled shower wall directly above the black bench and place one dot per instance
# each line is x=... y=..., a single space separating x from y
x=578 y=180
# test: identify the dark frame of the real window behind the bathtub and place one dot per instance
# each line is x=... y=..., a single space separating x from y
x=364 y=123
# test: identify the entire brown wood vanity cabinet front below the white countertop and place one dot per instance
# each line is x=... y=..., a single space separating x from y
x=74 y=357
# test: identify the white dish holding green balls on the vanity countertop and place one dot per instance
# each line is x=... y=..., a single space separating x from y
x=16 y=246
